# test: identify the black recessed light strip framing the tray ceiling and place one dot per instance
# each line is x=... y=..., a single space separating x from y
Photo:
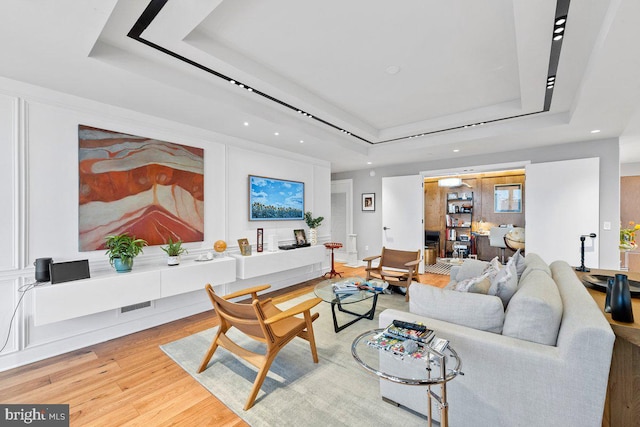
x=155 y=6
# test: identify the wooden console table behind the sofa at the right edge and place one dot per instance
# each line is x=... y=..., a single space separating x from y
x=622 y=407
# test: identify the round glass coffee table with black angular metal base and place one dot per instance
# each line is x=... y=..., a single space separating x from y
x=325 y=290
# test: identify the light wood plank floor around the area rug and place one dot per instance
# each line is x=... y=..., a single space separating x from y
x=130 y=381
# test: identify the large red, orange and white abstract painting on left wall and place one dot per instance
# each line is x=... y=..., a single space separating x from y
x=151 y=189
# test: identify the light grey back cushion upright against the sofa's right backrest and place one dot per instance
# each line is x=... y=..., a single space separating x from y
x=535 y=311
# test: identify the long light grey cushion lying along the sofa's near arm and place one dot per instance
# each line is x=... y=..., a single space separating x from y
x=483 y=312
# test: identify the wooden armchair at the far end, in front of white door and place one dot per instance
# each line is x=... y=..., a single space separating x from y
x=399 y=268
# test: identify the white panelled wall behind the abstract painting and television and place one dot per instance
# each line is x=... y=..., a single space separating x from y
x=39 y=213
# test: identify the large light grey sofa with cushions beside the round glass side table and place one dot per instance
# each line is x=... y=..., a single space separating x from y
x=541 y=359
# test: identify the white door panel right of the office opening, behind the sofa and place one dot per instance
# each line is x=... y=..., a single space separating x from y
x=562 y=203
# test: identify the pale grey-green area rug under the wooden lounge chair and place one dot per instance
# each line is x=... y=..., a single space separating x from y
x=335 y=392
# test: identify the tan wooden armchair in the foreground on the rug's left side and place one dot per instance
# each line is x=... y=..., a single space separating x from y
x=262 y=321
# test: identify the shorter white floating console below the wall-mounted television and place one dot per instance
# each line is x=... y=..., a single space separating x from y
x=263 y=263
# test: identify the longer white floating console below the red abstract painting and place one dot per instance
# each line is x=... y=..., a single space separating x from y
x=108 y=291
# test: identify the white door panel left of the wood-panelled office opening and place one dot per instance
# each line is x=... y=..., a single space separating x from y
x=402 y=205
